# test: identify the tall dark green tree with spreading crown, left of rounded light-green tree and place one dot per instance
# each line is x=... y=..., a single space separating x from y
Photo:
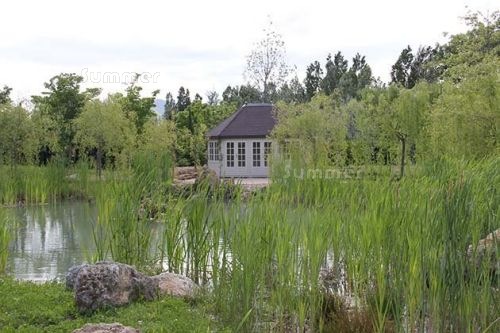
x=64 y=102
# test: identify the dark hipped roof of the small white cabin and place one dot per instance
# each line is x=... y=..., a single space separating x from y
x=251 y=121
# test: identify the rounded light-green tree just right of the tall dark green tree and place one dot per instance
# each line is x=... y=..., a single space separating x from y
x=103 y=128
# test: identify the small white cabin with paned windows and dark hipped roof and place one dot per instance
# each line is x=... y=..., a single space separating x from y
x=239 y=146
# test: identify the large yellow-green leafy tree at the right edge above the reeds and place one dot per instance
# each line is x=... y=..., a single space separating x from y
x=465 y=121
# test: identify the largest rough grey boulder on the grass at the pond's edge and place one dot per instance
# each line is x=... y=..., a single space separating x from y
x=108 y=284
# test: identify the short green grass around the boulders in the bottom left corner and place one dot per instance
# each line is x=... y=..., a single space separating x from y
x=29 y=307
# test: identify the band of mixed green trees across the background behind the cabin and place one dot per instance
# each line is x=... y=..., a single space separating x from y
x=441 y=100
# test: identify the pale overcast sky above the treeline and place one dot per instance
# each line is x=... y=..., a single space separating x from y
x=203 y=45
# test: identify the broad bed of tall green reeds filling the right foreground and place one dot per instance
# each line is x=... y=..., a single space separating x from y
x=396 y=251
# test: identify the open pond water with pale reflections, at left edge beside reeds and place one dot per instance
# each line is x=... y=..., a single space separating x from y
x=49 y=239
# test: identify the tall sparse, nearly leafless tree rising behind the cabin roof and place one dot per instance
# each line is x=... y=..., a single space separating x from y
x=266 y=63
